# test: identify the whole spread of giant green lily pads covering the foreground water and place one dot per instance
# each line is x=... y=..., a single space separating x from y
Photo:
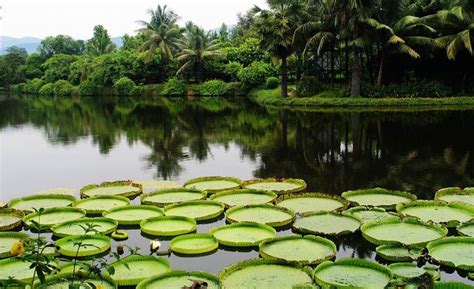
x=403 y=229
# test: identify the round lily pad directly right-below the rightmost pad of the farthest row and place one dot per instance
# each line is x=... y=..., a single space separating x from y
x=311 y=202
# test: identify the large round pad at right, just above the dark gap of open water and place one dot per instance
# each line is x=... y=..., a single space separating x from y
x=409 y=232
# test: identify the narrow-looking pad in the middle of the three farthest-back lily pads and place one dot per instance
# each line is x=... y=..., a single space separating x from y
x=213 y=184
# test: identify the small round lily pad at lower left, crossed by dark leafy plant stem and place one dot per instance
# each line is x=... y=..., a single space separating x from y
x=90 y=245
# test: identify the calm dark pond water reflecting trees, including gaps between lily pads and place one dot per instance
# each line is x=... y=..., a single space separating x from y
x=47 y=143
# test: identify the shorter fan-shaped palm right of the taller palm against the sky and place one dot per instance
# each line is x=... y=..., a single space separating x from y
x=196 y=48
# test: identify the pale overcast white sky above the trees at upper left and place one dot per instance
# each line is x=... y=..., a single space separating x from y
x=41 y=18
